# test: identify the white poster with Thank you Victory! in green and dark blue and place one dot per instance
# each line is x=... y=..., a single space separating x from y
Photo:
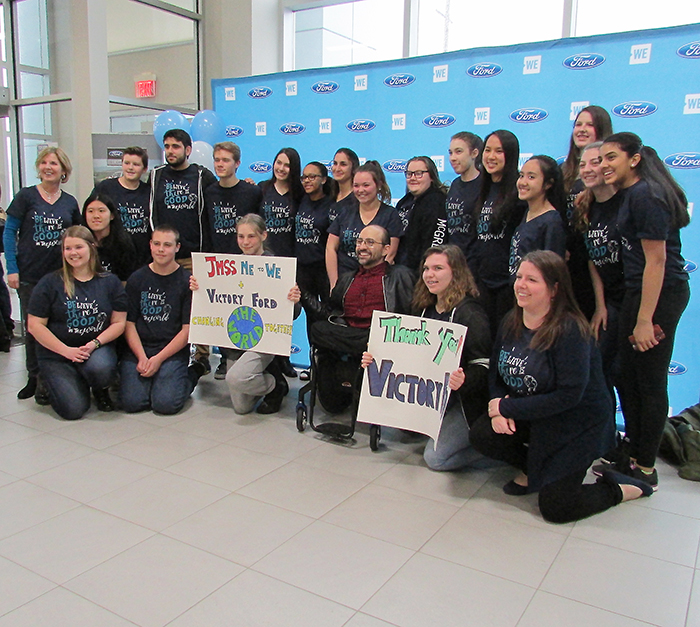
x=407 y=384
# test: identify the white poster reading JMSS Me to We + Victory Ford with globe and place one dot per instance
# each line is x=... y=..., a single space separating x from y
x=242 y=302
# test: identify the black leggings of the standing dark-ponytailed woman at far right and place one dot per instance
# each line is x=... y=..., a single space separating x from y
x=643 y=377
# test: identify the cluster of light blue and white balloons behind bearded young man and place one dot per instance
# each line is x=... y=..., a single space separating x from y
x=206 y=129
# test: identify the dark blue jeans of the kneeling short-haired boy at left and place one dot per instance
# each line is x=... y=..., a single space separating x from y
x=165 y=392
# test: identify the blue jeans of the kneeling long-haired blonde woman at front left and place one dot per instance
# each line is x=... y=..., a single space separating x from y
x=69 y=383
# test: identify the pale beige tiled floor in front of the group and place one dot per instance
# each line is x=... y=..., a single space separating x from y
x=211 y=519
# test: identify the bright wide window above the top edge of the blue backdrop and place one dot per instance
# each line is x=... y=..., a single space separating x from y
x=341 y=33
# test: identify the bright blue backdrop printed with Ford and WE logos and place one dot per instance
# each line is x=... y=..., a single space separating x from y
x=390 y=111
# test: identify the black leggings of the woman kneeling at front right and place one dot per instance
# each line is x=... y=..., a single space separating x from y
x=565 y=500
